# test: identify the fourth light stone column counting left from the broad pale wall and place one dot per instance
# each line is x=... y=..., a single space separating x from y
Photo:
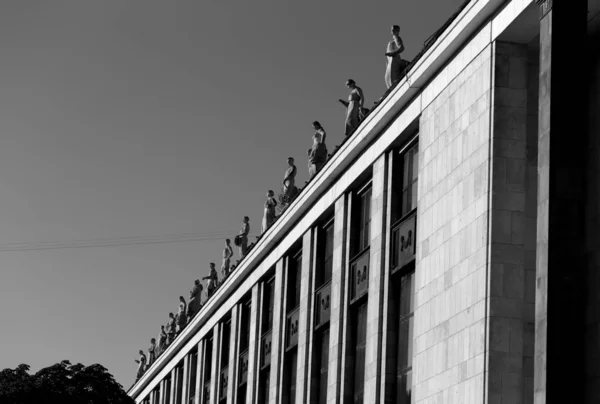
x=278 y=333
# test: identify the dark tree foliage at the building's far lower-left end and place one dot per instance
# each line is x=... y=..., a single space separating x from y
x=61 y=383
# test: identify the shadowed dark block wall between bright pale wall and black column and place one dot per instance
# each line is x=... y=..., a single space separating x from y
x=509 y=311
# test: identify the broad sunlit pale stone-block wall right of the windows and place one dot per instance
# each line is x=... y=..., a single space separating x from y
x=452 y=240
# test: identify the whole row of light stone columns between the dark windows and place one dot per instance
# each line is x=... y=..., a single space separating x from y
x=338 y=380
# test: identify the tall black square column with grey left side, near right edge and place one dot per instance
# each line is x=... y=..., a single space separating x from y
x=560 y=320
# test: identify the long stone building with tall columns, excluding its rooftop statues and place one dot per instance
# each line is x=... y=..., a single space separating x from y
x=449 y=251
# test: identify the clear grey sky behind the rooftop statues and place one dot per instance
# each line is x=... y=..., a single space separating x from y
x=146 y=118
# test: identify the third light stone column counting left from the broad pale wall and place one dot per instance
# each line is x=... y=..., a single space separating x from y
x=306 y=302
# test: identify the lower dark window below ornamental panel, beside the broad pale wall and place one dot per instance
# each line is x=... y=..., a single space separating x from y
x=405 y=338
